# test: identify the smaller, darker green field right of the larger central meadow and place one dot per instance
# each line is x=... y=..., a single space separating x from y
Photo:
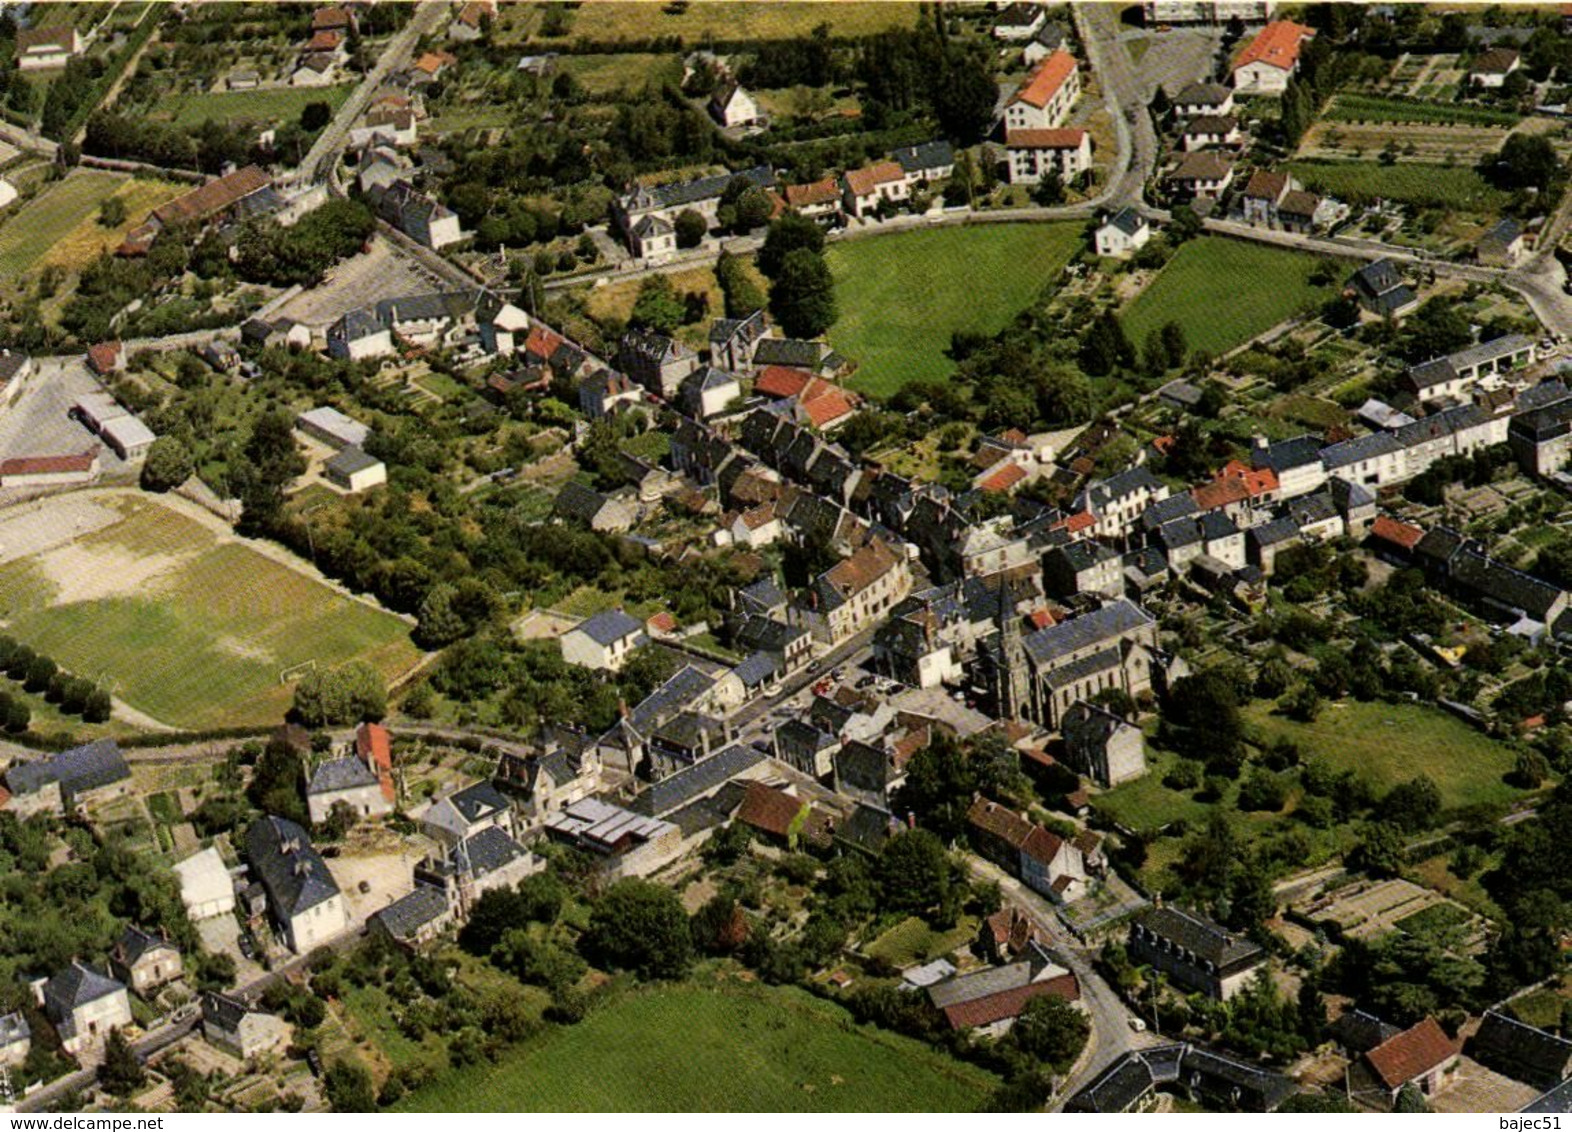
x=1225 y=293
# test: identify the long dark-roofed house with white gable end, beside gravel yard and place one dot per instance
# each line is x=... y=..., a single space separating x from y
x=304 y=899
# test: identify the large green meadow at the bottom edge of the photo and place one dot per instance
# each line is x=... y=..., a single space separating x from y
x=699 y=1049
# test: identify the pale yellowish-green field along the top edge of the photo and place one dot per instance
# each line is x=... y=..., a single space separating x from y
x=732 y=20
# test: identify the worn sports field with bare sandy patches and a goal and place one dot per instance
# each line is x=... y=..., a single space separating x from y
x=185 y=625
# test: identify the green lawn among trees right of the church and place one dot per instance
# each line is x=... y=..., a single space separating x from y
x=1387 y=744
